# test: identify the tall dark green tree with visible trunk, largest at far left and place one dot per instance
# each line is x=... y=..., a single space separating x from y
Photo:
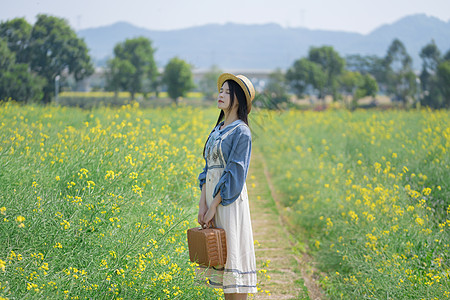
x=54 y=48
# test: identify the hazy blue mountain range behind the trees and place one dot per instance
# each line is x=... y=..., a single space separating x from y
x=235 y=46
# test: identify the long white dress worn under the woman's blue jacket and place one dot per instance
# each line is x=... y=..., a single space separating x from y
x=239 y=273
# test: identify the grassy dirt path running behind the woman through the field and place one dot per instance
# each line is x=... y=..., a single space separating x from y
x=286 y=275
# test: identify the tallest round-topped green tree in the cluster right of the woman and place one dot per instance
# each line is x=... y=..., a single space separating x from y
x=332 y=64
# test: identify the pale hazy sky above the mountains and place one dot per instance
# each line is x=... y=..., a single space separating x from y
x=349 y=15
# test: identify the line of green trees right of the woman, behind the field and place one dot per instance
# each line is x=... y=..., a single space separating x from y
x=325 y=73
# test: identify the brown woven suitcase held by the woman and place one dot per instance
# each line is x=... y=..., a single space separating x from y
x=207 y=247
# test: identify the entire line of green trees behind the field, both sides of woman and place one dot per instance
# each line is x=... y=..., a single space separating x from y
x=34 y=57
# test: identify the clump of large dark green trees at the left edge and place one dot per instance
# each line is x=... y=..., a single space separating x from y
x=31 y=57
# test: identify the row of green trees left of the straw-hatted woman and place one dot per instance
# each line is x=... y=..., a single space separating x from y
x=36 y=59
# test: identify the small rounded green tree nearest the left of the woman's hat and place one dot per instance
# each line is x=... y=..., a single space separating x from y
x=178 y=78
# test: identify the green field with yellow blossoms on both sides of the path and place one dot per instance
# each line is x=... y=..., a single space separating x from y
x=94 y=204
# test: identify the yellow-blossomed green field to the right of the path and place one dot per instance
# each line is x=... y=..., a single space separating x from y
x=371 y=192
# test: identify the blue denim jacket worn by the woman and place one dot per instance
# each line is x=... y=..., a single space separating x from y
x=236 y=149
